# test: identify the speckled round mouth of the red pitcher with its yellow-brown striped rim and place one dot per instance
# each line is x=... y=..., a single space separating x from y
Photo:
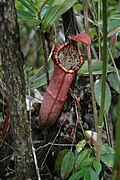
x=68 y=57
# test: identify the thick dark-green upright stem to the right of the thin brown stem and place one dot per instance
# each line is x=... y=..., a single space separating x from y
x=103 y=87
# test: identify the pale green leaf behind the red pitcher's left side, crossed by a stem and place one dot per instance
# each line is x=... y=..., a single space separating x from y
x=40 y=81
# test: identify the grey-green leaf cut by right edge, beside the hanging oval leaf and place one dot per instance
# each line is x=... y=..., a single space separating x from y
x=114 y=81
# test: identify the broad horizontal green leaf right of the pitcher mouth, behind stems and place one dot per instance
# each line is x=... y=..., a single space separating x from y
x=96 y=68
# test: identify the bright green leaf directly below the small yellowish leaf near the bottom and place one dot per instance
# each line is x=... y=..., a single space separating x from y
x=81 y=156
